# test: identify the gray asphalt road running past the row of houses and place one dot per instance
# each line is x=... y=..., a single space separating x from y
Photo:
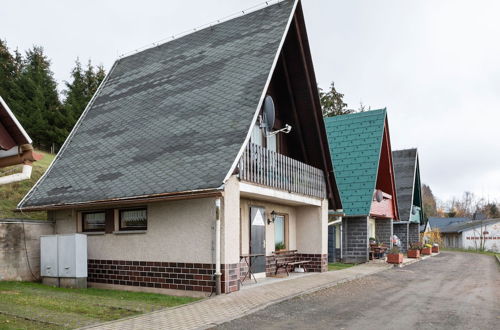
x=450 y=291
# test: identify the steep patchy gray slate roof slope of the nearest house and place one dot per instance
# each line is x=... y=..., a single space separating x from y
x=171 y=118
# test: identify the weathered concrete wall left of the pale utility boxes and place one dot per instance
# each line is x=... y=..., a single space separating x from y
x=14 y=265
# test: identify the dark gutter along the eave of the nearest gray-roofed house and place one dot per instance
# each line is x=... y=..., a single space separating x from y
x=191 y=194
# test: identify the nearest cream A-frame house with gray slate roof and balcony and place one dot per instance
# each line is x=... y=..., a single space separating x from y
x=179 y=171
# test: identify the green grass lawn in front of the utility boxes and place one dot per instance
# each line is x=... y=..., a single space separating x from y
x=26 y=305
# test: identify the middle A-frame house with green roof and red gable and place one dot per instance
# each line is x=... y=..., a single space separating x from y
x=360 y=150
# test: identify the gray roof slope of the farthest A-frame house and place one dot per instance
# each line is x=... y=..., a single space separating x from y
x=404 y=163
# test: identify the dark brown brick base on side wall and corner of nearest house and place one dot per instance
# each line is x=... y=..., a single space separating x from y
x=163 y=275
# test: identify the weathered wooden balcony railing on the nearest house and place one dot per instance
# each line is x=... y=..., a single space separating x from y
x=265 y=167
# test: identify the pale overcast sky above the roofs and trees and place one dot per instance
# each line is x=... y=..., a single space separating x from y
x=435 y=64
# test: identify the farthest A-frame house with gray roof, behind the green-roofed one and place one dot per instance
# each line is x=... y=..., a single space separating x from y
x=409 y=190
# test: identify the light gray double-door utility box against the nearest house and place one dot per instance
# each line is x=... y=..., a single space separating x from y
x=63 y=260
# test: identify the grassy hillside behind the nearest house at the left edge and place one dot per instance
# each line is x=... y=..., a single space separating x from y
x=11 y=194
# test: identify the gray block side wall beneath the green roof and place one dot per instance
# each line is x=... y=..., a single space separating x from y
x=355 y=239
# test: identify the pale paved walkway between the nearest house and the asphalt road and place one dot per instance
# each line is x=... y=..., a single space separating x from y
x=213 y=311
